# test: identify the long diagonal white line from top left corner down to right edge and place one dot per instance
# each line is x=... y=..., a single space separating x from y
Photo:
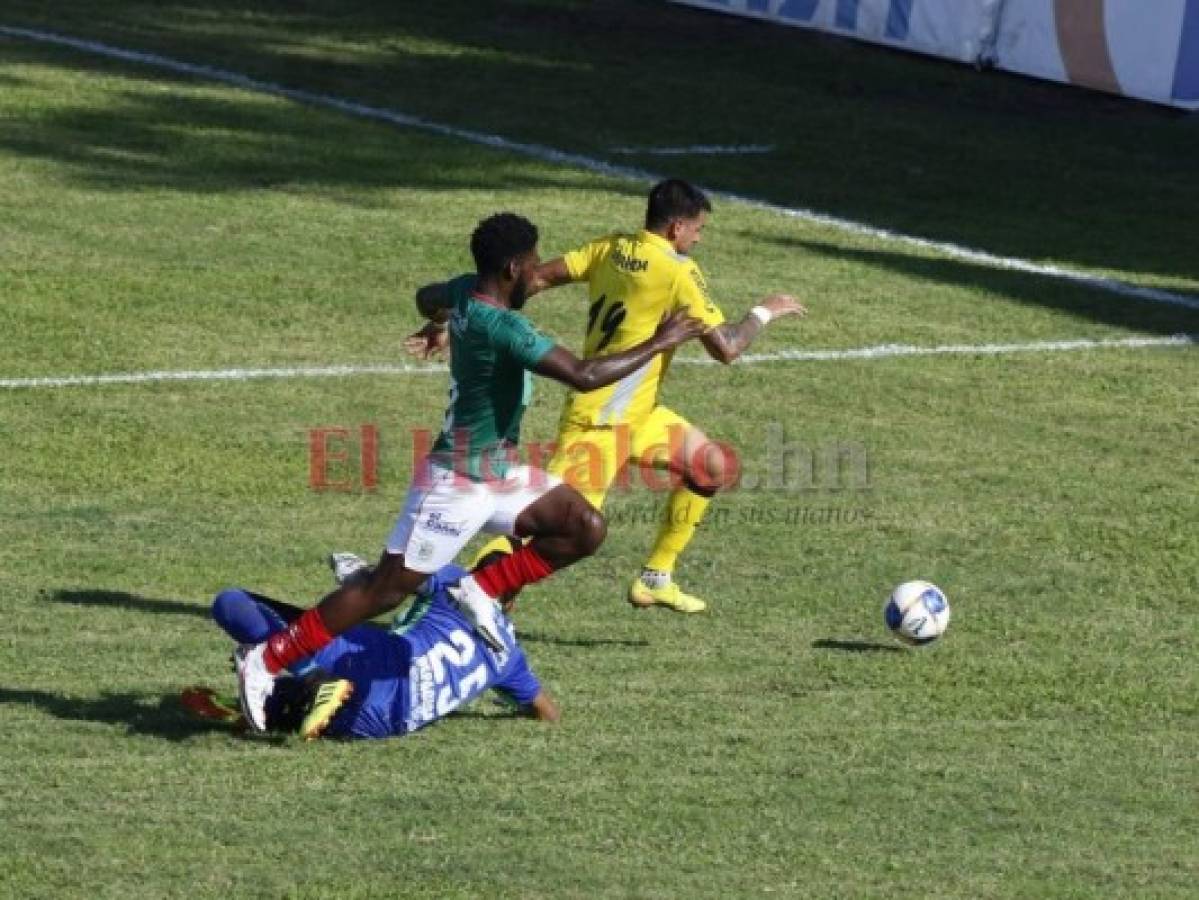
x=551 y=155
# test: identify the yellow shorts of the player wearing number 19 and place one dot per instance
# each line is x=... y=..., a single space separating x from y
x=591 y=458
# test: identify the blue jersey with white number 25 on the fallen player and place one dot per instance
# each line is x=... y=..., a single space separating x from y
x=425 y=668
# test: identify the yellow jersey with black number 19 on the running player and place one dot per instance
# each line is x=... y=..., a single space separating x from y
x=634 y=281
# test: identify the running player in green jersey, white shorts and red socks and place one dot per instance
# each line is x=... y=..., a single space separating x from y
x=468 y=482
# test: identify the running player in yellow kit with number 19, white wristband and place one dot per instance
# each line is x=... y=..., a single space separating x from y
x=634 y=281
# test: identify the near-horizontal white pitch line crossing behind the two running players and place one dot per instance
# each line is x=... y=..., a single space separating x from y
x=869 y=353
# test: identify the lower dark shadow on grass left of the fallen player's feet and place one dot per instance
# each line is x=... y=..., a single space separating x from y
x=150 y=715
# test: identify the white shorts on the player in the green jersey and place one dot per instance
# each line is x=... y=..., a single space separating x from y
x=444 y=511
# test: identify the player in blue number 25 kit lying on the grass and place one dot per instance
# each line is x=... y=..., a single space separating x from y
x=379 y=682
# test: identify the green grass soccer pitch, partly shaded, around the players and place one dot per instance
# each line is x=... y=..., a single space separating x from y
x=781 y=745
